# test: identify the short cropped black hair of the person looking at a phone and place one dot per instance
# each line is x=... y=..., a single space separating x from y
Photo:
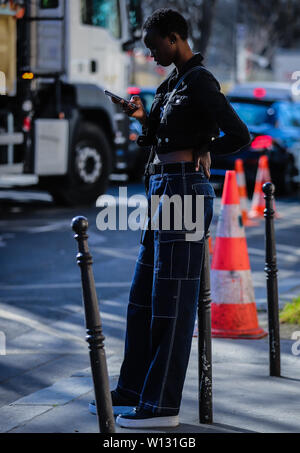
x=166 y=21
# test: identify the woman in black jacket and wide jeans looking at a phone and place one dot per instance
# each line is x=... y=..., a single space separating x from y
x=165 y=288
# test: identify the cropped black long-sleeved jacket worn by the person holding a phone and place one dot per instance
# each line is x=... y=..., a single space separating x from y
x=195 y=115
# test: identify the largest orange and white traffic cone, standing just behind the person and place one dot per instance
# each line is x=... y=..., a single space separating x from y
x=233 y=302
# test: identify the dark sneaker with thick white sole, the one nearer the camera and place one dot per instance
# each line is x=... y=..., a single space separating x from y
x=141 y=418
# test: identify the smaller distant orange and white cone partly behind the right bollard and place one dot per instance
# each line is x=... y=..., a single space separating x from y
x=258 y=202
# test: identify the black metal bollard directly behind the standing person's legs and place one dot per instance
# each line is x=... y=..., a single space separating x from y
x=204 y=342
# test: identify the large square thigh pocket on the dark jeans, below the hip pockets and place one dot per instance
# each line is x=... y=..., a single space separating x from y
x=178 y=258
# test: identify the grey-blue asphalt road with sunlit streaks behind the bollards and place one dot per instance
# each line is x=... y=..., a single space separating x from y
x=41 y=315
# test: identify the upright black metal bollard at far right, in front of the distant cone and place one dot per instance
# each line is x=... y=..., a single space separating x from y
x=272 y=287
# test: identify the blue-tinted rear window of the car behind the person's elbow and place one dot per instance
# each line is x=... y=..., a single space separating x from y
x=253 y=114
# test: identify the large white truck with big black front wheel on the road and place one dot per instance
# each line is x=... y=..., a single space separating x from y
x=56 y=59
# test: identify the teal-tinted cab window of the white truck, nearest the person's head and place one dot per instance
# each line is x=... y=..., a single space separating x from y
x=102 y=13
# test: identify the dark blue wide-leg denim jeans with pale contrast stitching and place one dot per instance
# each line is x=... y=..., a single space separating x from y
x=163 y=302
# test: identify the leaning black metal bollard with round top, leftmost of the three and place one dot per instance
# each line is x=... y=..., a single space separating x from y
x=94 y=337
